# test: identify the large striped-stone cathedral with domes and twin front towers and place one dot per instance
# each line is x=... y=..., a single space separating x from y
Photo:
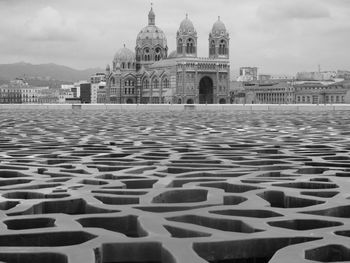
x=153 y=75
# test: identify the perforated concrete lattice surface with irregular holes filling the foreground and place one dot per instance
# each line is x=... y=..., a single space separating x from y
x=182 y=186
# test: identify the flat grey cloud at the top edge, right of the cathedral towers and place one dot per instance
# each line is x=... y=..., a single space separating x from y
x=298 y=9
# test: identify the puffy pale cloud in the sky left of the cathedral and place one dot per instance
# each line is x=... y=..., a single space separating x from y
x=49 y=25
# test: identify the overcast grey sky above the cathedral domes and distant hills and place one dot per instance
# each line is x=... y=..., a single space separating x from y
x=278 y=36
